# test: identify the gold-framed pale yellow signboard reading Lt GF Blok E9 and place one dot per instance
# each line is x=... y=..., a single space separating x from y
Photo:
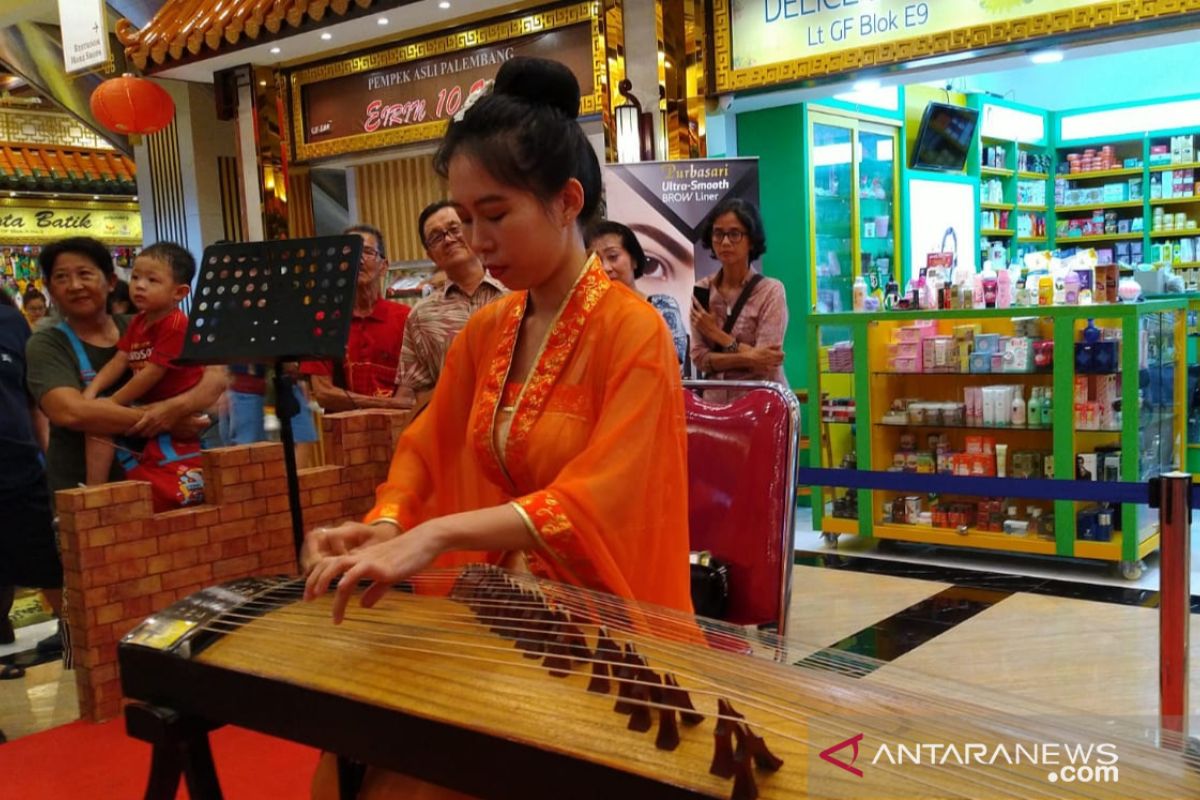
x=761 y=43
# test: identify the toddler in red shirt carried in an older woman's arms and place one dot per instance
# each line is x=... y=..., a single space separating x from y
x=163 y=278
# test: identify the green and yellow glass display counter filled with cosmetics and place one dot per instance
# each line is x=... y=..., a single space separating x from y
x=1151 y=356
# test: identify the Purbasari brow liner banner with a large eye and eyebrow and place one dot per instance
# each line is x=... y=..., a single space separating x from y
x=668 y=204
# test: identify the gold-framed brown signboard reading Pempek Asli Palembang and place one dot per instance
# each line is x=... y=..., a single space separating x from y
x=411 y=92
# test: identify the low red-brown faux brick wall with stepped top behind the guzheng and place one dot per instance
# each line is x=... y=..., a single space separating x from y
x=123 y=562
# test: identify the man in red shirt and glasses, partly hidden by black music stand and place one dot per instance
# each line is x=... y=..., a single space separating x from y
x=367 y=377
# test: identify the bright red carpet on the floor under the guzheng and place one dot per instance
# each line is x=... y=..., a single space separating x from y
x=99 y=761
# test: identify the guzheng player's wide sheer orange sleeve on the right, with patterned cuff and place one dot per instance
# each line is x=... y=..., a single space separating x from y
x=616 y=516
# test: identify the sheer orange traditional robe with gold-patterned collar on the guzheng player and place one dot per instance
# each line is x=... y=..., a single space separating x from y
x=595 y=458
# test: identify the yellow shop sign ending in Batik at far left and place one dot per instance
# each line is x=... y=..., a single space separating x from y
x=39 y=224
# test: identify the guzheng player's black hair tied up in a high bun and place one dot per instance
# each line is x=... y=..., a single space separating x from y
x=526 y=135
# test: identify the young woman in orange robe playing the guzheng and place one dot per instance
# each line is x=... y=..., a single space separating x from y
x=556 y=440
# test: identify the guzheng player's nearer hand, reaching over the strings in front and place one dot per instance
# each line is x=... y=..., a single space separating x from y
x=385 y=566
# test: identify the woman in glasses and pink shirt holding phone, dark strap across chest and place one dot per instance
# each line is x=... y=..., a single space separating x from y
x=739 y=317
